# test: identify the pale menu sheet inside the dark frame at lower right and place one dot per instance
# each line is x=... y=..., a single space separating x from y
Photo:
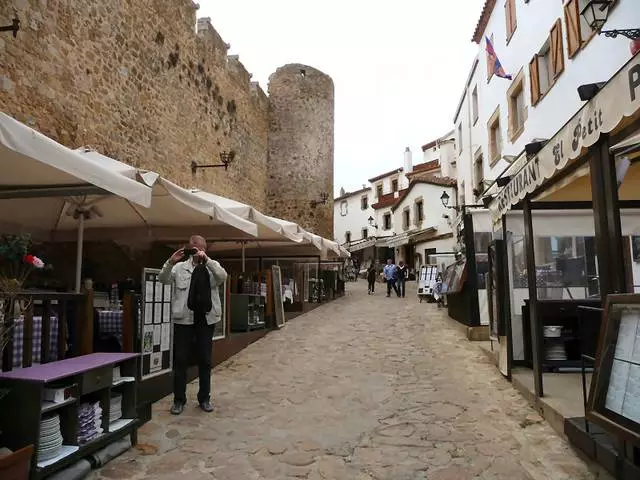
x=623 y=390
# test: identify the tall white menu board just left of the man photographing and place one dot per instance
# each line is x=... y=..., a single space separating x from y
x=157 y=329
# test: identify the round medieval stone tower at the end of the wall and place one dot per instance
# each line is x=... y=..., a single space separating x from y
x=301 y=143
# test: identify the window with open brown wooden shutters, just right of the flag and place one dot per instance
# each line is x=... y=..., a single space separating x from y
x=546 y=66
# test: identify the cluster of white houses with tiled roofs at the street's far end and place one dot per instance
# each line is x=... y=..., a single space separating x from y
x=405 y=218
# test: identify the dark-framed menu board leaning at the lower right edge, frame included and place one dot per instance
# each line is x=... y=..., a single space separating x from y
x=614 y=399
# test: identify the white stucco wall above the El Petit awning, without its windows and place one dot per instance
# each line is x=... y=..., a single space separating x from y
x=597 y=60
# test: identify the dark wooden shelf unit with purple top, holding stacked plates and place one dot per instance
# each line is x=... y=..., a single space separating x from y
x=91 y=377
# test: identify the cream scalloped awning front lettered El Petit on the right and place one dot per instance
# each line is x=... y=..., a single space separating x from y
x=619 y=98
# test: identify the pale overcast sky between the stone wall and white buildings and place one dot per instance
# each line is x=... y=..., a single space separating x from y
x=398 y=68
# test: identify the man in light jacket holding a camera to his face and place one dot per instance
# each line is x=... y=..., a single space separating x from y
x=195 y=307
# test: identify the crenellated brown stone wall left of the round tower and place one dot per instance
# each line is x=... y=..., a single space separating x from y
x=133 y=79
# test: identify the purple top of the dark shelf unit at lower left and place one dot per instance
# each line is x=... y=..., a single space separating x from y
x=48 y=372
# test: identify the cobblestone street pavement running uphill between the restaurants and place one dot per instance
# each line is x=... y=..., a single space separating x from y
x=361 y=388
